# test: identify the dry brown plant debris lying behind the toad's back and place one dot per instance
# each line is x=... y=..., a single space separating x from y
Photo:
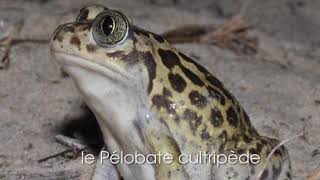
x=233 y=35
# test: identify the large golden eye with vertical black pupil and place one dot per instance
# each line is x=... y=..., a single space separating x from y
x=110 y=28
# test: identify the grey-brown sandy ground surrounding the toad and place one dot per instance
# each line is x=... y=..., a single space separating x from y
x=279 y=87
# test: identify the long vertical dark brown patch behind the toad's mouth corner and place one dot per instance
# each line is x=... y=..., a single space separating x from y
x=150 y=63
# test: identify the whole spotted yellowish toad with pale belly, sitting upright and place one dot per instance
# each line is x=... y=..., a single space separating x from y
x=148 y=98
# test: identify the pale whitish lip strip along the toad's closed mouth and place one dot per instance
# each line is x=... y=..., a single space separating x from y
x=65 y=59
